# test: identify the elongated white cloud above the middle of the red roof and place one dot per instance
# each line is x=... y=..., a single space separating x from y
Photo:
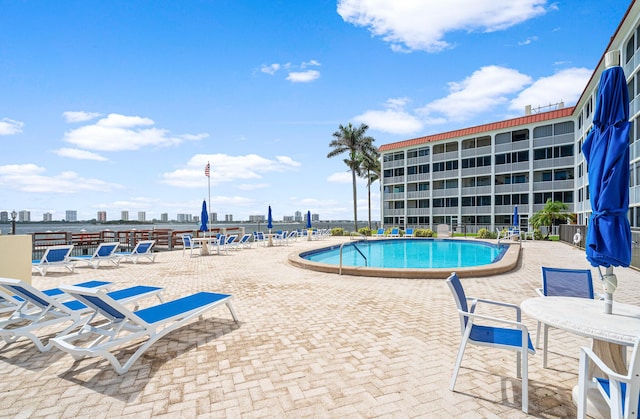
x=481 y=92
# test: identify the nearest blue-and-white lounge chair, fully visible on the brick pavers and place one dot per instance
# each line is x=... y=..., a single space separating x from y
x=125 y=326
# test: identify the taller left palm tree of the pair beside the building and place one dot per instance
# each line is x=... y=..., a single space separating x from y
x=353 y=141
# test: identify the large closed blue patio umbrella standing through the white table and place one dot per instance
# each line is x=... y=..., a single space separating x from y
x=606 y=150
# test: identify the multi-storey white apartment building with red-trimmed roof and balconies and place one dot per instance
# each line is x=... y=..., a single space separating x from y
x=475 y=176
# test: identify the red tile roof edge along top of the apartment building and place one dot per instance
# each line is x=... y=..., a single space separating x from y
x=479 y=129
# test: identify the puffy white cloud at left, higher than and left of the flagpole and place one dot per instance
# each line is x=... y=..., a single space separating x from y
x=120 y=132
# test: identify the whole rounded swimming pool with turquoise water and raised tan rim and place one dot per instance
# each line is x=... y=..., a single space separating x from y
x=412 y=258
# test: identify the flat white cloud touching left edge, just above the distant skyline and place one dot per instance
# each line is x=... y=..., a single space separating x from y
x=31 y=178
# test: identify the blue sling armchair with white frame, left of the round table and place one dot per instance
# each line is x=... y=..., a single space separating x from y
x=514 y=336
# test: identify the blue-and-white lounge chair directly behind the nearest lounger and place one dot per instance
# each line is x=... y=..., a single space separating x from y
x=39 y=310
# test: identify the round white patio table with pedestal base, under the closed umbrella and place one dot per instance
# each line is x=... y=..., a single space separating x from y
x=610 y=333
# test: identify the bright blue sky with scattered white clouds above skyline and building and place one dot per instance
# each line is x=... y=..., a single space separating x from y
x=118 y=105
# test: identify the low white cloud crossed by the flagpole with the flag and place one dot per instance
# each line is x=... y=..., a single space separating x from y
x=226 y=168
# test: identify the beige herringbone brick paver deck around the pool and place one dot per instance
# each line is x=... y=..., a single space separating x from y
x=309 y=344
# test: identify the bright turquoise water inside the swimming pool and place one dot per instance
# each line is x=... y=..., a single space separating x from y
x=410 y=253
